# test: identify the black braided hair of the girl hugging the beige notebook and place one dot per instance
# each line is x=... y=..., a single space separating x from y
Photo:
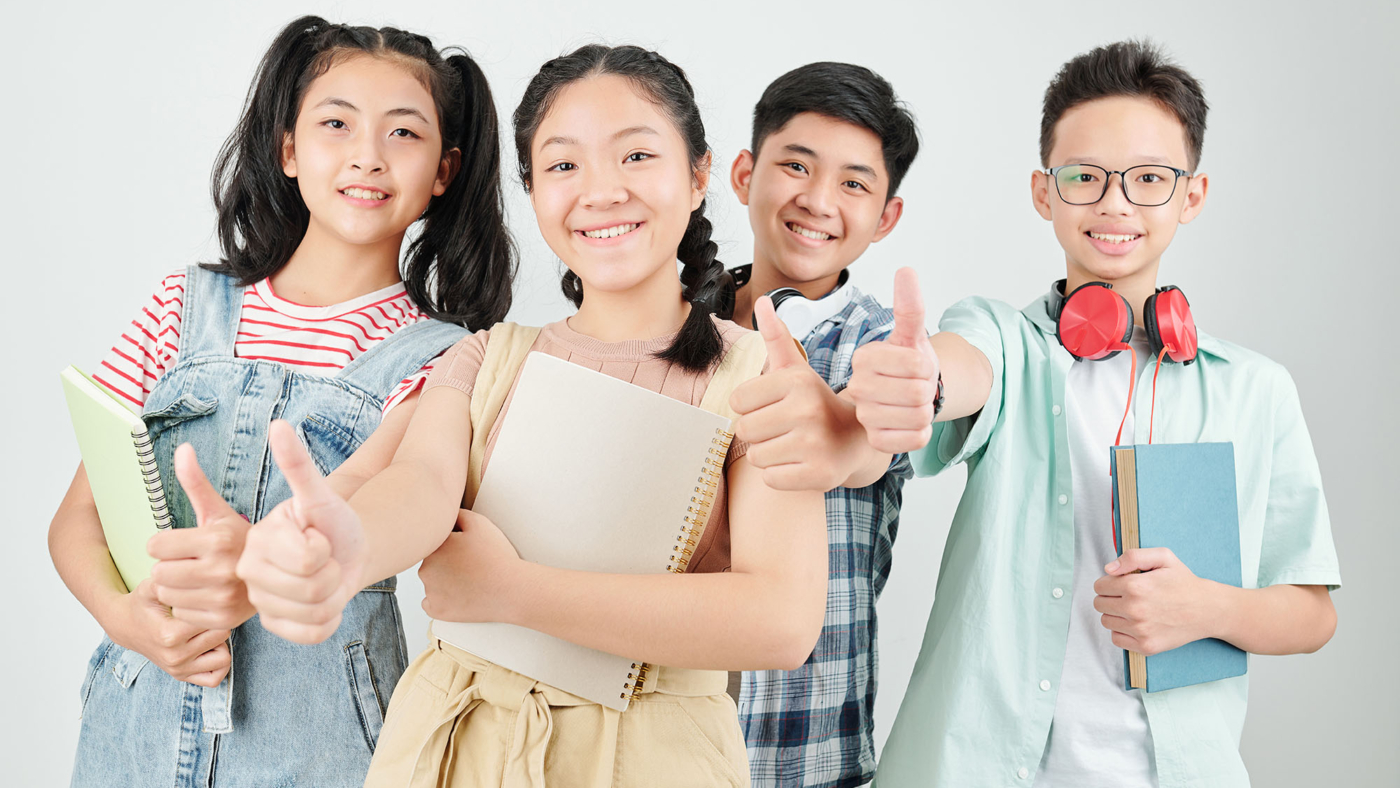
x=708 y=286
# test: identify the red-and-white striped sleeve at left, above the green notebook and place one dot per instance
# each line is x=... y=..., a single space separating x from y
x=148 y=348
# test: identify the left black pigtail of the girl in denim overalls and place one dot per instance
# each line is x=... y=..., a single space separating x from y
x=261 y=215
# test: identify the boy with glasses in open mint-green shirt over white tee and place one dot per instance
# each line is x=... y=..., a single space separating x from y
x=1020 y=681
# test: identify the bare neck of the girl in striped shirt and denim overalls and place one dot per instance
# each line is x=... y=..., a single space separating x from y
x=325 y=269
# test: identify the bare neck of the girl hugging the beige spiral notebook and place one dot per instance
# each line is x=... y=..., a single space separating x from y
x=646 y=311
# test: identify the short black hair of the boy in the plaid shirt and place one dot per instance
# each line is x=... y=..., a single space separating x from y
x=852 y=94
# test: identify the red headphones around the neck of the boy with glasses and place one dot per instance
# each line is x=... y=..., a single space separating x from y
x=1095 y=323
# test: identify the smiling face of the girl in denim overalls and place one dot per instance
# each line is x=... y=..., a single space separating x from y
x=367 y=152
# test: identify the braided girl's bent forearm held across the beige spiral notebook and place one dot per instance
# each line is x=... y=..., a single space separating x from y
x=720 y=621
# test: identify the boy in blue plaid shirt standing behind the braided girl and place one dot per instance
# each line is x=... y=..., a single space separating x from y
x=831 y=146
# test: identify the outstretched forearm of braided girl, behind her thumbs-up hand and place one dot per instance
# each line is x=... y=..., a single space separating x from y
x=407 y=512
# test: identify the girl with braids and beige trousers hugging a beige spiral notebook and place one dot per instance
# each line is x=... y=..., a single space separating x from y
x=612 y=152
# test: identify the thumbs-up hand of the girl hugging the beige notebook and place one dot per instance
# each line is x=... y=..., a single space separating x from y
x=303 y=562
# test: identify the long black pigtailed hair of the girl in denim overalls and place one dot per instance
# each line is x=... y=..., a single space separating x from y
x=461 y=267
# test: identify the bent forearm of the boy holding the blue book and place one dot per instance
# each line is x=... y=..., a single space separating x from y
x=1280 y=619
